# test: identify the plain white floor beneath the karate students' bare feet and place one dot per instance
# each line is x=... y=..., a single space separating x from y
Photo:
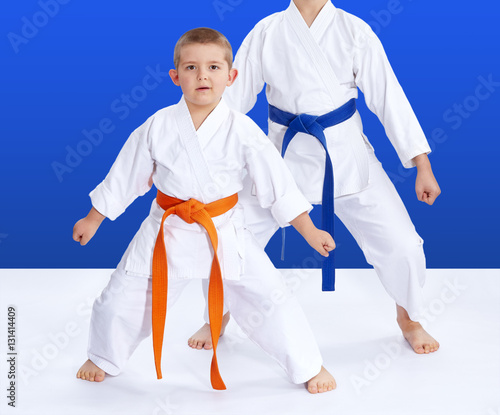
x=376 y=372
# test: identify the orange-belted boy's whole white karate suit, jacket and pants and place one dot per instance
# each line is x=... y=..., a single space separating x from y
x=206 y=165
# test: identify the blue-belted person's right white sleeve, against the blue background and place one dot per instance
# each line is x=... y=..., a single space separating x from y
x=386 y=99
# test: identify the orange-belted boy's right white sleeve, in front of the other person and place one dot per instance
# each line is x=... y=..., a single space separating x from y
x=275 y=186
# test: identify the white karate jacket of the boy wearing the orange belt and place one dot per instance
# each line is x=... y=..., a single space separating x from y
x=207 y=165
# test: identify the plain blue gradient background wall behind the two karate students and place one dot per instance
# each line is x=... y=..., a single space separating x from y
x=68 y=73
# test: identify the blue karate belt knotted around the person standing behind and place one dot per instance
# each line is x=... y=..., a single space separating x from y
x=314 y=125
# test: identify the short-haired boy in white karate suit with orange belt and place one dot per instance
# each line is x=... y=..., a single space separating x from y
x=196 y=153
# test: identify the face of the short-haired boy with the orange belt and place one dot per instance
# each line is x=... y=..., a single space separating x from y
x=203 y=75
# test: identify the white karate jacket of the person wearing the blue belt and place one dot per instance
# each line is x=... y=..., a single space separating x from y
x=314 y=71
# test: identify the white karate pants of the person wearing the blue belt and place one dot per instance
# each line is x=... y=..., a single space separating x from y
x=380 y=224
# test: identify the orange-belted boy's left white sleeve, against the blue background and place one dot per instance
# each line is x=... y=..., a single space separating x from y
x=128 y=177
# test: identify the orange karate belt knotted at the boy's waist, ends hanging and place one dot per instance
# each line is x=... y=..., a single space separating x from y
x=190 y=211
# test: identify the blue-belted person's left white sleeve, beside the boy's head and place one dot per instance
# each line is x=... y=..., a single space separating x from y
x=242 y=95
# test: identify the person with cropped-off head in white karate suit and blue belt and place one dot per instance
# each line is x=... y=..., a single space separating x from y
x=313 y=57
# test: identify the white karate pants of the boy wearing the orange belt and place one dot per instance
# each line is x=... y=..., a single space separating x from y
x=259 y=302
